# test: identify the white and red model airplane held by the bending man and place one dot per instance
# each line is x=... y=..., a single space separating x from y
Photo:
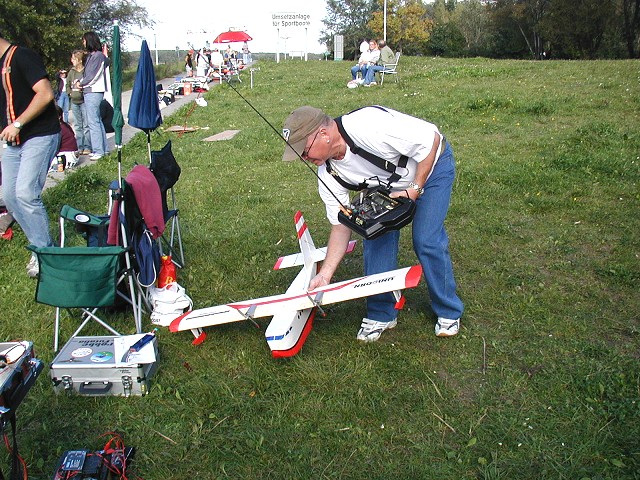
x=293 y=312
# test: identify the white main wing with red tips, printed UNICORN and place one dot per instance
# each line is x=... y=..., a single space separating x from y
x=368 y=285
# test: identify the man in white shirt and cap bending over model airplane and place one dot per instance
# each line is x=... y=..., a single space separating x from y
x=424 y=173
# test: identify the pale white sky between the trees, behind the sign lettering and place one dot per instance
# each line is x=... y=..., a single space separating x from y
x=180 y=23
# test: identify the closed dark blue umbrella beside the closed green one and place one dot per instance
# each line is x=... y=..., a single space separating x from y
x=144 y=108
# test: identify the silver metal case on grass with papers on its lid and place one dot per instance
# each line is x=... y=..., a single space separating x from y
x=90 y=366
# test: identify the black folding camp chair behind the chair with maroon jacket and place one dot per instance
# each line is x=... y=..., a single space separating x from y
x=167 y=172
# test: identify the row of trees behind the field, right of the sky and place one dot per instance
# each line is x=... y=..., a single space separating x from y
x=527 y=29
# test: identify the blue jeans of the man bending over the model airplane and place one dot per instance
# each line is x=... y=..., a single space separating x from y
x=431 y=244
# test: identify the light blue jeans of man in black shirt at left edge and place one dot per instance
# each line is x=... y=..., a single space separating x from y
x=24 y=171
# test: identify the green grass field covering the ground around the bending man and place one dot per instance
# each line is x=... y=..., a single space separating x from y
x=543 y=381
